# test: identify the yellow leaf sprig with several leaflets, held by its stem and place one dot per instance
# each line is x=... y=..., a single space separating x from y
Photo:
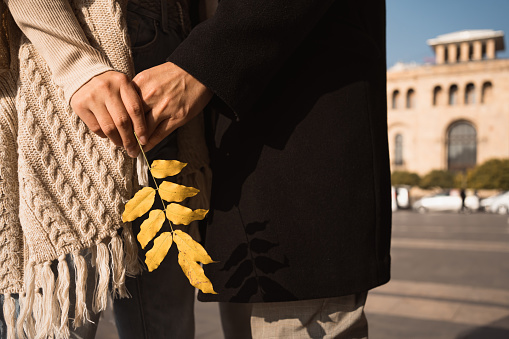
x=190 y=252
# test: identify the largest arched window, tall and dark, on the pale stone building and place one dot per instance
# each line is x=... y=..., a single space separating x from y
x=461 y=146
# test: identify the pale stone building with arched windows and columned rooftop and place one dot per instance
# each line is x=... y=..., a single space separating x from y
x=452 y=114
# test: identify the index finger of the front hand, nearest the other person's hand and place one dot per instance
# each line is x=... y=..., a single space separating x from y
x=134 y=106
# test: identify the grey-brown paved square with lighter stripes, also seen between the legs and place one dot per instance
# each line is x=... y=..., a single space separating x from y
x=450 y=280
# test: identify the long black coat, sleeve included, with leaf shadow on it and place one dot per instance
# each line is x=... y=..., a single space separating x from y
x=301 y=188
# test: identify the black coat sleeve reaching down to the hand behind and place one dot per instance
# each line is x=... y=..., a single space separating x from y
x=238 y=51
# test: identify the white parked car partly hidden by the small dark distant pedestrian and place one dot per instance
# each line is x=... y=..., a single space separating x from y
x=446 y=201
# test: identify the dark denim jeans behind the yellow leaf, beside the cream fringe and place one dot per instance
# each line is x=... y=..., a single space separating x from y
x=162 y=303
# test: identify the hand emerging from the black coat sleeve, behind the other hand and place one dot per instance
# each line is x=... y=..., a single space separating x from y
x=171 y=97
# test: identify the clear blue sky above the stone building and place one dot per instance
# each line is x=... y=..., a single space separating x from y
x=411 y=22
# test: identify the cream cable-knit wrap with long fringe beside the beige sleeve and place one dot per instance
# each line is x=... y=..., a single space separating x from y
x=62 y=188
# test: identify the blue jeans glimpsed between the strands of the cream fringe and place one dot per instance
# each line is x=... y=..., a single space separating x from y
x=88 y=330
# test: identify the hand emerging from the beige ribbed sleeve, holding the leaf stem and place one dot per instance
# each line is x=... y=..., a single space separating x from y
x=110 y=106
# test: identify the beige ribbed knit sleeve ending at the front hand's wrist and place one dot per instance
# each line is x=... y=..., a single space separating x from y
x=53 y=29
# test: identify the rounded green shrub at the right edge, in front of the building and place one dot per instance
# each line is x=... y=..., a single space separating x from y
x=492 y=174
